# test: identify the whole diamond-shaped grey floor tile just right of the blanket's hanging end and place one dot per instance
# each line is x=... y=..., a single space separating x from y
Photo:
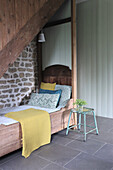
x=59 y=154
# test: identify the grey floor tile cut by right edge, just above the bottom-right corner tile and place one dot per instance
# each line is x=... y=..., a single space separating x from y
x=106 y=152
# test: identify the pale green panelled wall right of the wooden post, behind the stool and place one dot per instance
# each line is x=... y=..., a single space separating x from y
x=95 y=55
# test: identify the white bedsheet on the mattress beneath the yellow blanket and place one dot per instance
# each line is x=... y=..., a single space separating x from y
x=7 y=121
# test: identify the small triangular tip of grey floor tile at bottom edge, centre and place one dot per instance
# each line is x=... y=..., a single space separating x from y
x=53 y=166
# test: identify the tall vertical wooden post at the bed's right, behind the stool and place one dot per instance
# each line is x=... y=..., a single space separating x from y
x=74 y=52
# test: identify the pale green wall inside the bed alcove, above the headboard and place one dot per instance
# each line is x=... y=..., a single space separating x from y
x=57 y=48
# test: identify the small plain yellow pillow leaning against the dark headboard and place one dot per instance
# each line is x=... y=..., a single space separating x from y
x=48 y=86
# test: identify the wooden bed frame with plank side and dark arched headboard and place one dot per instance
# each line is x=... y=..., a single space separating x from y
x=11 y=135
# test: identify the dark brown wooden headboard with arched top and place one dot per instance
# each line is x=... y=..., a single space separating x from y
x=59 y=74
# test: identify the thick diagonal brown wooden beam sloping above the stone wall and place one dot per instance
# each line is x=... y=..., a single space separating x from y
x=12 y=50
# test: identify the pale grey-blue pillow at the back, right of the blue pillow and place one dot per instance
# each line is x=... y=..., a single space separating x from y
x=66 y=92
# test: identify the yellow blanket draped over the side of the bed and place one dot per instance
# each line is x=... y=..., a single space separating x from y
x=36 y=129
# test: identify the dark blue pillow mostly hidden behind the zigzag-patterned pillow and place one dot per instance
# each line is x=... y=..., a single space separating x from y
x=52 y=92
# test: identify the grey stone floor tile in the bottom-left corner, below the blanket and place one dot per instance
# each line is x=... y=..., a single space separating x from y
x=20 y=163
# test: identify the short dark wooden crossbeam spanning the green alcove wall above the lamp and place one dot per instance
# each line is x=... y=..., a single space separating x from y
x=58 y=22
